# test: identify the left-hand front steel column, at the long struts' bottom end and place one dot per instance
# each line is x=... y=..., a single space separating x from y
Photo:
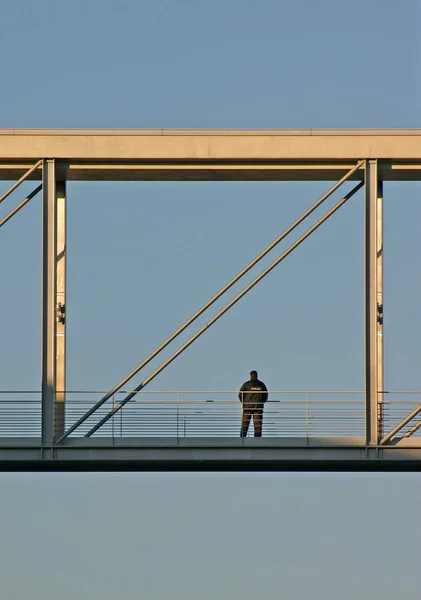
x=49 y=255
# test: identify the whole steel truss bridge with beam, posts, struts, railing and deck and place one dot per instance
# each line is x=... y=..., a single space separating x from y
x=135 y=429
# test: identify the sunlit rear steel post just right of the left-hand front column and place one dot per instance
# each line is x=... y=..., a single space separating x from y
x=60 y=399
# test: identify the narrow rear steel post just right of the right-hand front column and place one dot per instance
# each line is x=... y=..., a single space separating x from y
x=380 y=379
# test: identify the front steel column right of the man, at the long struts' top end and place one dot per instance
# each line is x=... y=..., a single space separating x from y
x=372 y=239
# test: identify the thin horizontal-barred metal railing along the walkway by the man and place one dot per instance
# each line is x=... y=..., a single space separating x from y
x=183 y=414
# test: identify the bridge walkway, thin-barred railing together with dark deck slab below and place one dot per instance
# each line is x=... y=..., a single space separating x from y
x=199 y=431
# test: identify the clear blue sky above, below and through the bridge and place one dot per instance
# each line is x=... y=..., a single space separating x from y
x=143 y=256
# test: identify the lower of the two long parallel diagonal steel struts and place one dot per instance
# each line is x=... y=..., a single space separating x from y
x=225 y=309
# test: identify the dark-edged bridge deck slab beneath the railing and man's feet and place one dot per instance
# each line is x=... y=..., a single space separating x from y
x=217 y=454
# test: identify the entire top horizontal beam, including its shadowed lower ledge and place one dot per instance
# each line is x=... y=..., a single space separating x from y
x=211 y=154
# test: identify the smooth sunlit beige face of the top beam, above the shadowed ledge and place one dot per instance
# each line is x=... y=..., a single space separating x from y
x=210 y=144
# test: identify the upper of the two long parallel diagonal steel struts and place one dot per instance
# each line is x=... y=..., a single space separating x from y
x=211 y=301
